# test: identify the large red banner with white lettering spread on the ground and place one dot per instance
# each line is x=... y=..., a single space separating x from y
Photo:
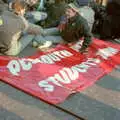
x=54 y=75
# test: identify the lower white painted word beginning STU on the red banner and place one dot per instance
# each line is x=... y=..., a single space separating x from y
x=67 y=75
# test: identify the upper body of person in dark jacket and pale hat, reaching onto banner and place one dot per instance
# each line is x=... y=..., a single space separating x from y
x=75 y=27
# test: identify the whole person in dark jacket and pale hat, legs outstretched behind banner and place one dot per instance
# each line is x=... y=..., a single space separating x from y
x=70 y=30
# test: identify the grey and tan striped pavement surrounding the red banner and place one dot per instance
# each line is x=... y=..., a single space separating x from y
x=98 y=102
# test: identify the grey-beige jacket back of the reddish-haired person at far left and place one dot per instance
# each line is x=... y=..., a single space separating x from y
x=10 y=28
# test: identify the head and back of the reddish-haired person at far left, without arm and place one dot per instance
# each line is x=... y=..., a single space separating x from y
x=12 y=25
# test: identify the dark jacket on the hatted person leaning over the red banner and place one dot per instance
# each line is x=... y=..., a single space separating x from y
x=76 y=28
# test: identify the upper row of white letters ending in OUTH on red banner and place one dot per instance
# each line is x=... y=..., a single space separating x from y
x=15 y=66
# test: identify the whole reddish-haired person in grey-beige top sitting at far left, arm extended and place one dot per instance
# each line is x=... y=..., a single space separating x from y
x=12 y=25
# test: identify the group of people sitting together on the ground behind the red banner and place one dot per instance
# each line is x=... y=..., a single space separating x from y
x=54 y=22
